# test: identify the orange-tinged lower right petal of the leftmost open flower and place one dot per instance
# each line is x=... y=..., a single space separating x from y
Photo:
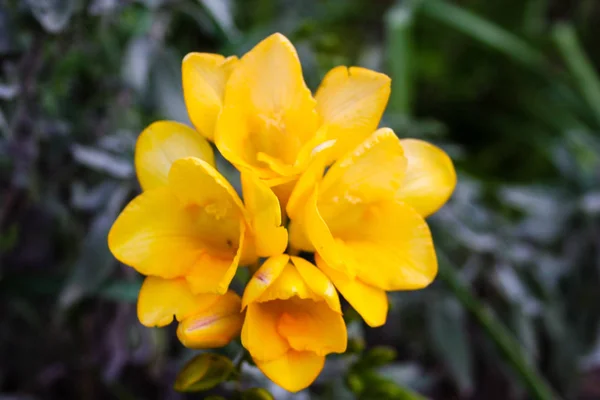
x=213 y=273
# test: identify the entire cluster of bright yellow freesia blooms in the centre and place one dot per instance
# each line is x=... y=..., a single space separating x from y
x=316 y=177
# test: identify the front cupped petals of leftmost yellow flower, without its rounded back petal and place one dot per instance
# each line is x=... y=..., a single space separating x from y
x=193 y=227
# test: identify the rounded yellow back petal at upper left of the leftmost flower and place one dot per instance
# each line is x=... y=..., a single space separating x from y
x=160 y=144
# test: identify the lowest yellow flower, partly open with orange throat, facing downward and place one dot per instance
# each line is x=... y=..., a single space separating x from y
x=293 y=320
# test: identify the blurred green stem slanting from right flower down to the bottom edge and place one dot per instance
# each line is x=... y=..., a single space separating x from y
x=508 y=346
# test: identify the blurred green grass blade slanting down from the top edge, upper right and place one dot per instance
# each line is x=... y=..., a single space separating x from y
x=484 y=31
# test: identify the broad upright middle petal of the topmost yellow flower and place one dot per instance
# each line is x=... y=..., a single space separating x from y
x=269 y=113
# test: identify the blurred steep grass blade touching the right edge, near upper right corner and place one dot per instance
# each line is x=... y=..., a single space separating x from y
x=579 y=65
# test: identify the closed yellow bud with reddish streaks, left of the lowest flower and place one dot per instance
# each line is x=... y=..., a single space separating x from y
x=213 y=327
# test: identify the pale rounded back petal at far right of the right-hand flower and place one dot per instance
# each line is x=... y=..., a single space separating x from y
x=430 y=177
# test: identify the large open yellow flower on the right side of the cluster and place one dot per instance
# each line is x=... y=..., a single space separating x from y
x=365 y=218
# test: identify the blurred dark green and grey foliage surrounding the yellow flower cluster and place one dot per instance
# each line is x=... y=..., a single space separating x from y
x=509 y=88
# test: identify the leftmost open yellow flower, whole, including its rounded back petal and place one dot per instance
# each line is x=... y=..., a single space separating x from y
x=189 y=222
